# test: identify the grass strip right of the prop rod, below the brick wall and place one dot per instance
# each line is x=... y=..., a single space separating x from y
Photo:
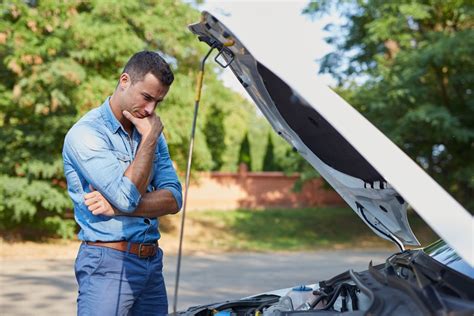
x=289 y=230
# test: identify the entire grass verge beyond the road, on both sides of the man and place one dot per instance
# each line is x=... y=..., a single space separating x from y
x=247 y=230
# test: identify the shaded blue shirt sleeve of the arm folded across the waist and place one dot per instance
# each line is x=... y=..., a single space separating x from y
x=165 y=176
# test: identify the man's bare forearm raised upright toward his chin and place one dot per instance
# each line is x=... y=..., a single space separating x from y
x=139 y=170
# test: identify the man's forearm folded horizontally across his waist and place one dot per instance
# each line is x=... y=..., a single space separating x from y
x=155 y=204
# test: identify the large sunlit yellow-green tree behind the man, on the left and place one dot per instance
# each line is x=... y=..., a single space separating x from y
x=59 y=59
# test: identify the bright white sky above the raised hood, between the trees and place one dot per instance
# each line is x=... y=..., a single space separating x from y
x=278 y=23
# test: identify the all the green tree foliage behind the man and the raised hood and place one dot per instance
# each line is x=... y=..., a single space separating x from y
x=406 y=65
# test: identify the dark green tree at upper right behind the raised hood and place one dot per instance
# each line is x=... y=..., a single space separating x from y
x=408 y=66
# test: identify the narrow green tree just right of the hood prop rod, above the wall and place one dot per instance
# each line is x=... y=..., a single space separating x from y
x=215 y=135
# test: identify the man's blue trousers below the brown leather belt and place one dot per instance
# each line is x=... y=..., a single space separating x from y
x=112 y=282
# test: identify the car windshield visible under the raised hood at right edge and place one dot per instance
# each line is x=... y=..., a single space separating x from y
x=444 y=254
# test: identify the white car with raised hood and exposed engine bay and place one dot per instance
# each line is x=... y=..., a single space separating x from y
x=376 y=179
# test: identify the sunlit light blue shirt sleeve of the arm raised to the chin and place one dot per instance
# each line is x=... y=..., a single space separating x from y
x=90 y=154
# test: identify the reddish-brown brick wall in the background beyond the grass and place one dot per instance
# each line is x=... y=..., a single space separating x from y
x=255 y=190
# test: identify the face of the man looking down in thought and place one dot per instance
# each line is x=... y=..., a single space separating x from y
x=142 y=97
